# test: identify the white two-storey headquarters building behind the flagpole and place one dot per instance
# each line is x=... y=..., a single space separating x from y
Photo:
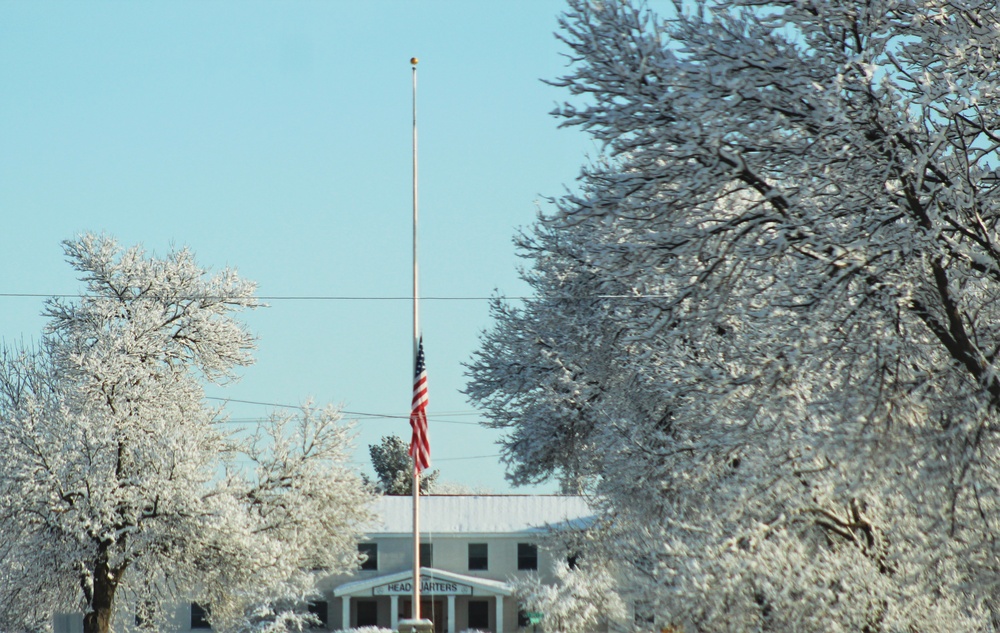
x=471 y=546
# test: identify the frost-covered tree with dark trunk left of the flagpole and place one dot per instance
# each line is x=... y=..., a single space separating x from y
x=121 y=490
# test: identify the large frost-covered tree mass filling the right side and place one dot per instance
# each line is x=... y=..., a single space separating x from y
x=765 y=330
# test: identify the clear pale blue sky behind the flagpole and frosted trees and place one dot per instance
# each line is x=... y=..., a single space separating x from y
x=274 y=137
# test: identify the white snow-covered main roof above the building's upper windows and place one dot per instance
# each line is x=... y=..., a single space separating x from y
x=481 y=514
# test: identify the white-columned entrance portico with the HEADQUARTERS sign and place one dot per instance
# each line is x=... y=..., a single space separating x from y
x=435 y=584
